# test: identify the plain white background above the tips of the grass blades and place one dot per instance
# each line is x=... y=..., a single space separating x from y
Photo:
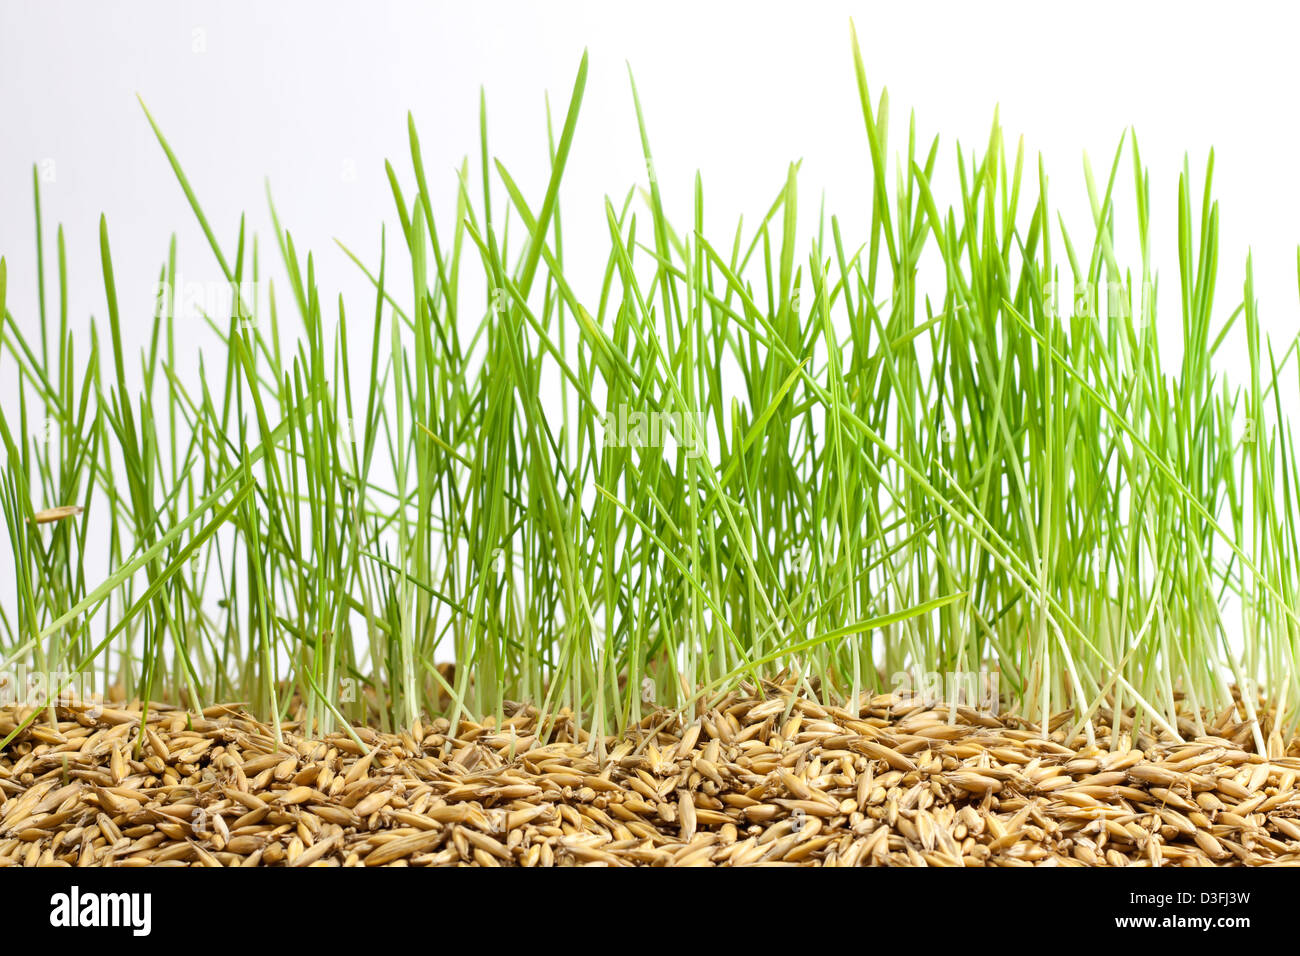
x=314 y=97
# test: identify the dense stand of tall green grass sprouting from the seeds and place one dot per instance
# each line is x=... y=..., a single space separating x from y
x=891 y=453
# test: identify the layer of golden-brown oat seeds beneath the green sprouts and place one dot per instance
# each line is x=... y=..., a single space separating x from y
x=778 y=781
